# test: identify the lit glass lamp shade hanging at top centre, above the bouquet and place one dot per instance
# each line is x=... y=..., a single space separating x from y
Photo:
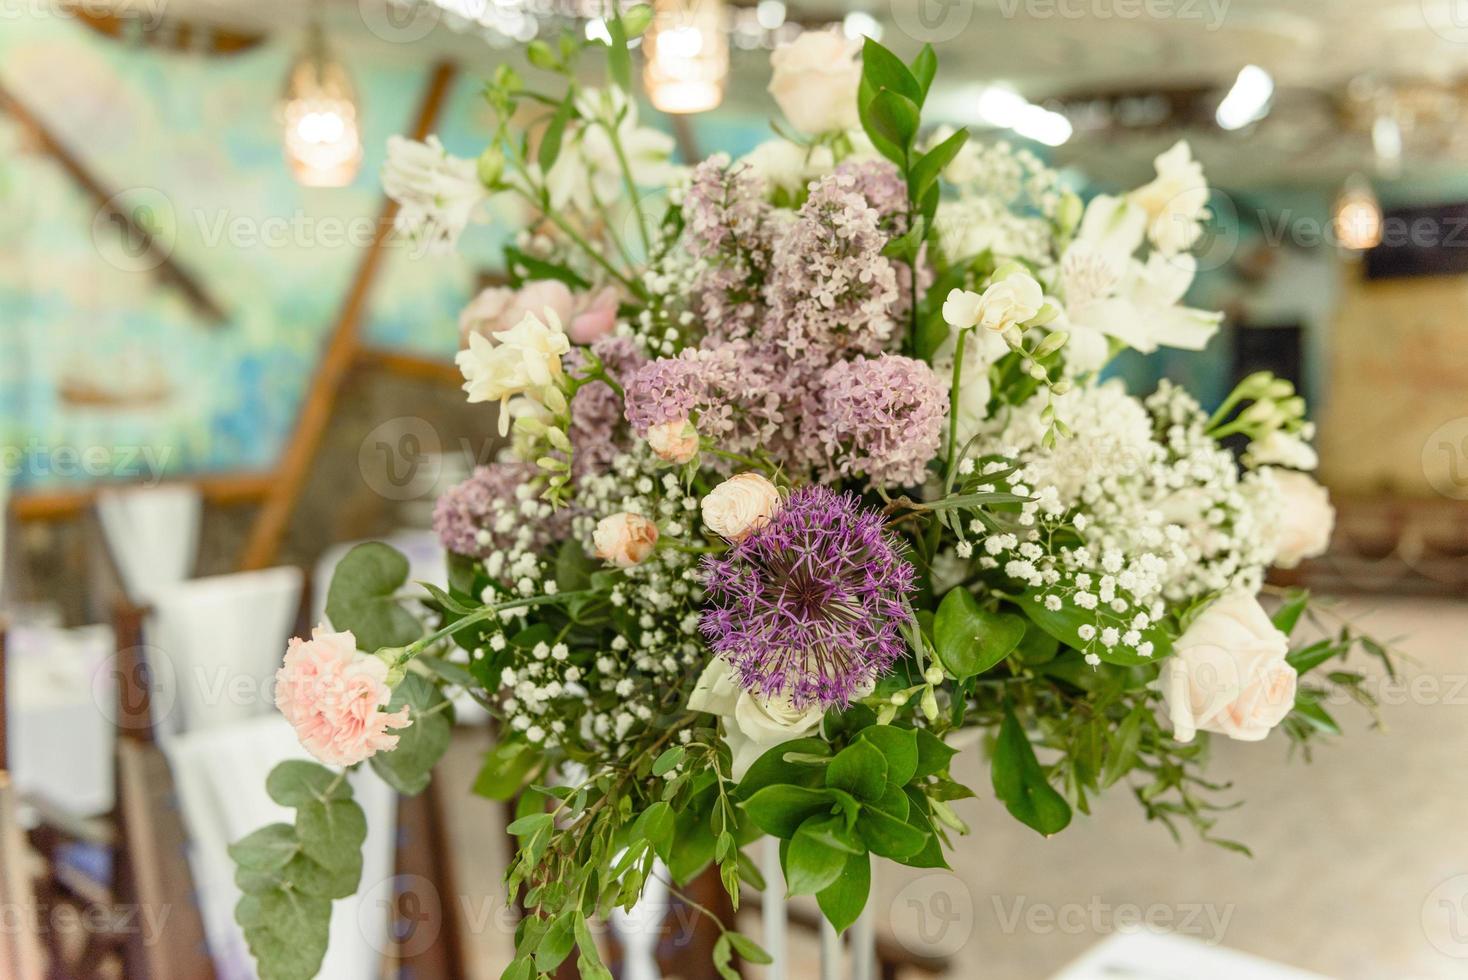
x=688 y=56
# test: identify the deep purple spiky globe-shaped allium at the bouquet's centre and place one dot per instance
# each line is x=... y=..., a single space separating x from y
x=811 y=605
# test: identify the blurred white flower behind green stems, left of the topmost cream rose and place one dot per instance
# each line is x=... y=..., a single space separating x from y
x=588 y=174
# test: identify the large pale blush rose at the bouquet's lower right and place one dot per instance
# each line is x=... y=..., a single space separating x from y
x=1228 y=674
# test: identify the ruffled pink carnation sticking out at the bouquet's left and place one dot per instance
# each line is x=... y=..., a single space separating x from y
x=333 y=696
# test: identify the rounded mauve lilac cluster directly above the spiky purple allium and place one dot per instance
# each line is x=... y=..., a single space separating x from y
x=882 y=417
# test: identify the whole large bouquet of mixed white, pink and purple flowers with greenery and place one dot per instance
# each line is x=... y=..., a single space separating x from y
x=813 y=482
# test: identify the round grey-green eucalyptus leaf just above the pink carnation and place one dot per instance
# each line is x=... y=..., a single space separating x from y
x=363 y=598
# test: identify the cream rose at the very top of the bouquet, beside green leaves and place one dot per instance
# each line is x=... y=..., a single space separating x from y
x=815 y=81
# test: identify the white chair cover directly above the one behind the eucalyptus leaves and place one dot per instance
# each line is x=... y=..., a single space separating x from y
x=215 y=646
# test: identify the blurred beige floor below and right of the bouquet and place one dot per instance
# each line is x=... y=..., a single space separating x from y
x=1362 y=857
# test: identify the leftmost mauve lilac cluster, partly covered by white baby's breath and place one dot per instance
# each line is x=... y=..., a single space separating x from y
x=484 y=514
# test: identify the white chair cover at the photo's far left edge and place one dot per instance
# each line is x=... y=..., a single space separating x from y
x=62 y=721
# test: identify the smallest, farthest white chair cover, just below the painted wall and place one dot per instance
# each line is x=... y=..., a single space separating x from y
x=152 y=535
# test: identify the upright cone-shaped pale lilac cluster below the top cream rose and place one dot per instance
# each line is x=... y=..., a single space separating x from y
x=832 y=293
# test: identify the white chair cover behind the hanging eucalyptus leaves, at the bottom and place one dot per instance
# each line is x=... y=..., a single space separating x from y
x=221 y=778
